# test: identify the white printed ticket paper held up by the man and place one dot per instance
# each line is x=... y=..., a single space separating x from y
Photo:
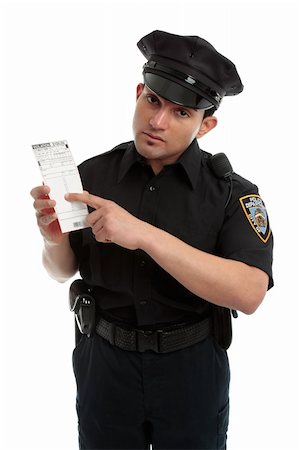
x=61 y=174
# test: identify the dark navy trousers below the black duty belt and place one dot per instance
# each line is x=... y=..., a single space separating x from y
x=127 y=400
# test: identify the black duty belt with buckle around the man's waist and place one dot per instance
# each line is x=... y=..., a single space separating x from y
x=160 y=341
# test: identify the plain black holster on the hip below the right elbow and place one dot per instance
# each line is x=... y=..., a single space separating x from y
x=222 y=325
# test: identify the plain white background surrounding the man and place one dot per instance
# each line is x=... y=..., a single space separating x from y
x=71 y=69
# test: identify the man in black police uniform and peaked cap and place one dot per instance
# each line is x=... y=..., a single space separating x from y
x=172 y=246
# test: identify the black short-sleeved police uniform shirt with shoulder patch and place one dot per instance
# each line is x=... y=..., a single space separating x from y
x=185 y=199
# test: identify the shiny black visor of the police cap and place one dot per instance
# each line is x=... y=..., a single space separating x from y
x=175 y=92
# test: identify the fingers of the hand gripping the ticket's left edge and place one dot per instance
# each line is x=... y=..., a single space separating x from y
x=46 y=216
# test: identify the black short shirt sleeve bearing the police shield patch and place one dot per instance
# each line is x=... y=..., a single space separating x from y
x=246 y=235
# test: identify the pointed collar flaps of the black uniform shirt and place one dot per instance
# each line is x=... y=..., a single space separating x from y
x=190 y=161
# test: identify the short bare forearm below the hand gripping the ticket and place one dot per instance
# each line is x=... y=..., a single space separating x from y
x=59 y=260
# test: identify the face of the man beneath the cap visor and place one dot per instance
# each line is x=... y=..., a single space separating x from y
x=163 y=130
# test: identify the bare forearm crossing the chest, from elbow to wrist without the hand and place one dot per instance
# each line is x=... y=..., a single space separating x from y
x=218 y=280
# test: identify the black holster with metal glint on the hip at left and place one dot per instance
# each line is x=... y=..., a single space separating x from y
x=82 y=304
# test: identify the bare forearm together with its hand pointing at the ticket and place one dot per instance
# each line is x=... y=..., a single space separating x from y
x=218 y=280
